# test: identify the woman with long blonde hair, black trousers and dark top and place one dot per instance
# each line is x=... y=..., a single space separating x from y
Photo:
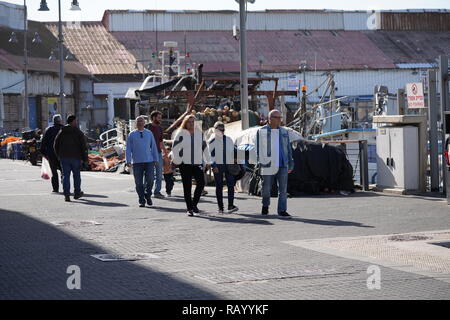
x=187 y=151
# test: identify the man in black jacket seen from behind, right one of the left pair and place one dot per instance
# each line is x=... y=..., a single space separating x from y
x=70 y=148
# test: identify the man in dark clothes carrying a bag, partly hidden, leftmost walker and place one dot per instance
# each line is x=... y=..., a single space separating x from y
x=48 y=140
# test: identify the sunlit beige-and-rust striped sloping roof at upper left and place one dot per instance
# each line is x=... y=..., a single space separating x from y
x=97 y=49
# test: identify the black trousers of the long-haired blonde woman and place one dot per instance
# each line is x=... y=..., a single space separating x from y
x=189 y=171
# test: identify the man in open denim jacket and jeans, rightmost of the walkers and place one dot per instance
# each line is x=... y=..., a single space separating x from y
x=280 y=165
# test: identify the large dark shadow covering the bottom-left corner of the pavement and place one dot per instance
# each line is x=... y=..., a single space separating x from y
x=34 y=257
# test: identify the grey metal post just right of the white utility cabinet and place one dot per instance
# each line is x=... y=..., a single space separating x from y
x=433 y=112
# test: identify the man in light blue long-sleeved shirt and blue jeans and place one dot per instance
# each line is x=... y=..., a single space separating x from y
x=143 y=154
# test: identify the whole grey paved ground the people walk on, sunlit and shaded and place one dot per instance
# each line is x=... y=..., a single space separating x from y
x=210 y=256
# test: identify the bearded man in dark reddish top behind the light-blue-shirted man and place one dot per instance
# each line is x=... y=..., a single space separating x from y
x=155 y=127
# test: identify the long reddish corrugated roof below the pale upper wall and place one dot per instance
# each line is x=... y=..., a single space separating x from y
x=281 y=50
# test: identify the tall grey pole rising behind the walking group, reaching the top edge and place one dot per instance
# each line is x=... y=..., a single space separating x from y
x=244 y=79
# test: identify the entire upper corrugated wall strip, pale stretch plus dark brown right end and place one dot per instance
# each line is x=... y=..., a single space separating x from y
x=279 y=20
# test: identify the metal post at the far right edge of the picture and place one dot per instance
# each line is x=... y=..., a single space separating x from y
x=443 y=77
